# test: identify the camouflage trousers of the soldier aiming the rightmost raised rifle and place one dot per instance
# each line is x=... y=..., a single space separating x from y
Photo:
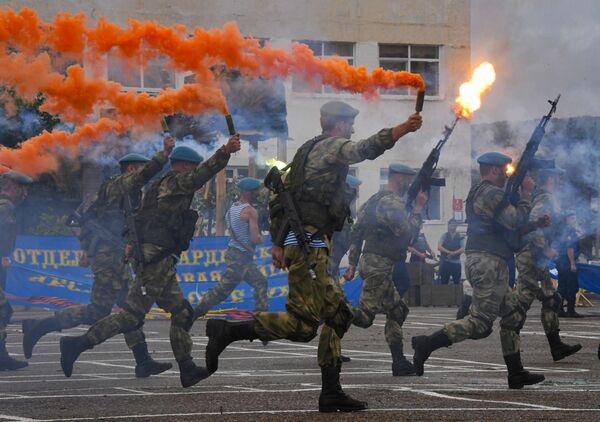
x=488 y=274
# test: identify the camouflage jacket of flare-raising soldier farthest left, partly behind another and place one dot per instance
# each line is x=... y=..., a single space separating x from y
x=107 y=207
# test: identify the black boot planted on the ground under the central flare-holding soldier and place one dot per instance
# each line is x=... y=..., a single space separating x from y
x=333 y=398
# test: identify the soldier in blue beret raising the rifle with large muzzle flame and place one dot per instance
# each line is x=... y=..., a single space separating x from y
x=387 y=228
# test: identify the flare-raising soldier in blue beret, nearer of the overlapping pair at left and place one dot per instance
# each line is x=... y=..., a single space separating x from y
x=165 y=226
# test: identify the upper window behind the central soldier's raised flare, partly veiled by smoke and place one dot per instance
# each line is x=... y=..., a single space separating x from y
x=422 y=59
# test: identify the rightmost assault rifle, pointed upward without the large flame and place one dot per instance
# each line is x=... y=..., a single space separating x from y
x=528 y=161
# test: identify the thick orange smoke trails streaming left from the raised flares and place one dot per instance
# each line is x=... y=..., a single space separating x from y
x=77 y=97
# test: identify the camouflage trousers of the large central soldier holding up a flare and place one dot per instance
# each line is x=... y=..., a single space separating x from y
x=309 y=302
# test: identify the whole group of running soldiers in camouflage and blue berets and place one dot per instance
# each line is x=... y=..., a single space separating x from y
x=132 y=243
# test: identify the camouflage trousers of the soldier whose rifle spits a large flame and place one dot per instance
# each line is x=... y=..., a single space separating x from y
x=379 y=296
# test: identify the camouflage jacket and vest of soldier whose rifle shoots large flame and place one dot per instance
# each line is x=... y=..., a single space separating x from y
x=387 y=232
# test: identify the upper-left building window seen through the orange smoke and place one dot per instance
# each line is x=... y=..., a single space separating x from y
x=152 y=77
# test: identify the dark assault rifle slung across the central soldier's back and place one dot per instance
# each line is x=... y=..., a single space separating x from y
x=274 y=182
